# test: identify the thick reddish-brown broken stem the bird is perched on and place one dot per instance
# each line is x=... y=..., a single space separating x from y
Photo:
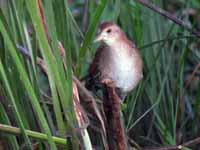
x=115 y=130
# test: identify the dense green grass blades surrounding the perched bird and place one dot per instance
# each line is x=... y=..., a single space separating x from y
x=163 y=110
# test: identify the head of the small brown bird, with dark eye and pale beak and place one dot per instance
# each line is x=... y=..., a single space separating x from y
x=108 y=32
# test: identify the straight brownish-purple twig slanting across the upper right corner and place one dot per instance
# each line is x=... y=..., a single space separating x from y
x=169 y=16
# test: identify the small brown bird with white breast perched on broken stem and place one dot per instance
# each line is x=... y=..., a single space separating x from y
x=117 y=61
